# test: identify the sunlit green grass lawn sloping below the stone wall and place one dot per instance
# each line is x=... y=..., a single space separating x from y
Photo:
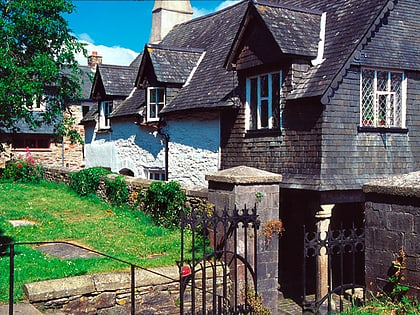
x=61 y=215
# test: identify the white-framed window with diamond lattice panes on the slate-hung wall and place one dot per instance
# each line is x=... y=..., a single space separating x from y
x=382 y=98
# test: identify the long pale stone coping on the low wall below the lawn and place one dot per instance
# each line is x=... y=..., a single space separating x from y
x=85 y=284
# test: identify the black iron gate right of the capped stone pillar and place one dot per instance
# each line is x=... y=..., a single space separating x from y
x=344 y=251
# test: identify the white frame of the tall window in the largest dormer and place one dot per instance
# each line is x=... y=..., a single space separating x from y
x=262 y=114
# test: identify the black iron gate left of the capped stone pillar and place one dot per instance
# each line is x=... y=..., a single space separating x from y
x=217 y=268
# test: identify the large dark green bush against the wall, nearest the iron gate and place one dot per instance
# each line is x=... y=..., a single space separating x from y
x=164 y=203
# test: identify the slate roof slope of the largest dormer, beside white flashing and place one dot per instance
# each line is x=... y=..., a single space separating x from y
x=296 y=31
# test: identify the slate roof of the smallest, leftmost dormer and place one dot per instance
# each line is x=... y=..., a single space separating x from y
x=116 y=80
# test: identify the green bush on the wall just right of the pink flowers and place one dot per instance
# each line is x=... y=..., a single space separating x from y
x=86 y=181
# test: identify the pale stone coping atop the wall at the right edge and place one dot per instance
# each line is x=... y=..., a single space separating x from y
x=406 y=185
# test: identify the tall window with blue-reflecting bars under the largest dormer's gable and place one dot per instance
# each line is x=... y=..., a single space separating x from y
x=263 y=95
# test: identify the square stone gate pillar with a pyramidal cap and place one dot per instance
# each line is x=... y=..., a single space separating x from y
x=245 y=186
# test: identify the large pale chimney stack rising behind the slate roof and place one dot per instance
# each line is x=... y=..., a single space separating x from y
x=166 y=14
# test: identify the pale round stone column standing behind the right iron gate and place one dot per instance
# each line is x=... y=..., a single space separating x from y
x=323 y=223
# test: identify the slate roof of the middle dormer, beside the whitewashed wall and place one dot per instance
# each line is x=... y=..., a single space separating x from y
x=170 y=64
